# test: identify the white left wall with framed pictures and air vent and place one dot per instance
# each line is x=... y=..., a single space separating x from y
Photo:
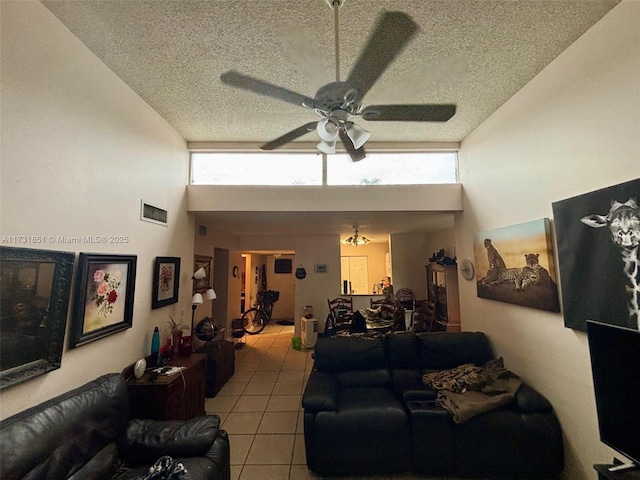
x=79 y=150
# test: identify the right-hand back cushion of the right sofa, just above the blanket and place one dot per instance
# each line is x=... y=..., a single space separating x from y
x=442 y=350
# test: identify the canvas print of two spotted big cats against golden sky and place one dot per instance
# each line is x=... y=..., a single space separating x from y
x=515 y=264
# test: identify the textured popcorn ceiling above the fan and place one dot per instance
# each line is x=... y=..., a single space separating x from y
x=473 y=53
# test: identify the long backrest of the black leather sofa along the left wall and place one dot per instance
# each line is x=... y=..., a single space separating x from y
x=56 y=438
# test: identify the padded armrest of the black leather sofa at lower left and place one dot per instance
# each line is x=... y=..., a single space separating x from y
x=147 y=440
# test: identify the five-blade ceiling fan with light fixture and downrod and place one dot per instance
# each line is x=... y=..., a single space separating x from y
x=337 y=103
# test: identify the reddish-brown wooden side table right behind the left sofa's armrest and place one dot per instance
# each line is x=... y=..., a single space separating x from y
x=175 y=397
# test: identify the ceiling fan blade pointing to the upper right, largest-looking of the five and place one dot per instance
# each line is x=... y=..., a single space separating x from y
x=390 y=35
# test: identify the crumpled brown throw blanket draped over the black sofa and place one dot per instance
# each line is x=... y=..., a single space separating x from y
x=468 y=390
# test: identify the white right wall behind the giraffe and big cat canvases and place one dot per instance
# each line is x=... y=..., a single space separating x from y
x=571 y=130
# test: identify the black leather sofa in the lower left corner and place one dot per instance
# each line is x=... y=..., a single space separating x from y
x=86 y=433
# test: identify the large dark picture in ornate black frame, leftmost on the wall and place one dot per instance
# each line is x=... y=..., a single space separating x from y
x=35 y=286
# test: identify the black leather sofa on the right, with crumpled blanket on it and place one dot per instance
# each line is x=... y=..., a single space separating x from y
x=366 y=411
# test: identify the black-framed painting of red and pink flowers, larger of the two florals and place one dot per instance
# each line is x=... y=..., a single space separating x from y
x=105 y=287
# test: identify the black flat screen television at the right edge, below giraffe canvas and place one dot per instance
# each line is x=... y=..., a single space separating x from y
x=615 y=365
